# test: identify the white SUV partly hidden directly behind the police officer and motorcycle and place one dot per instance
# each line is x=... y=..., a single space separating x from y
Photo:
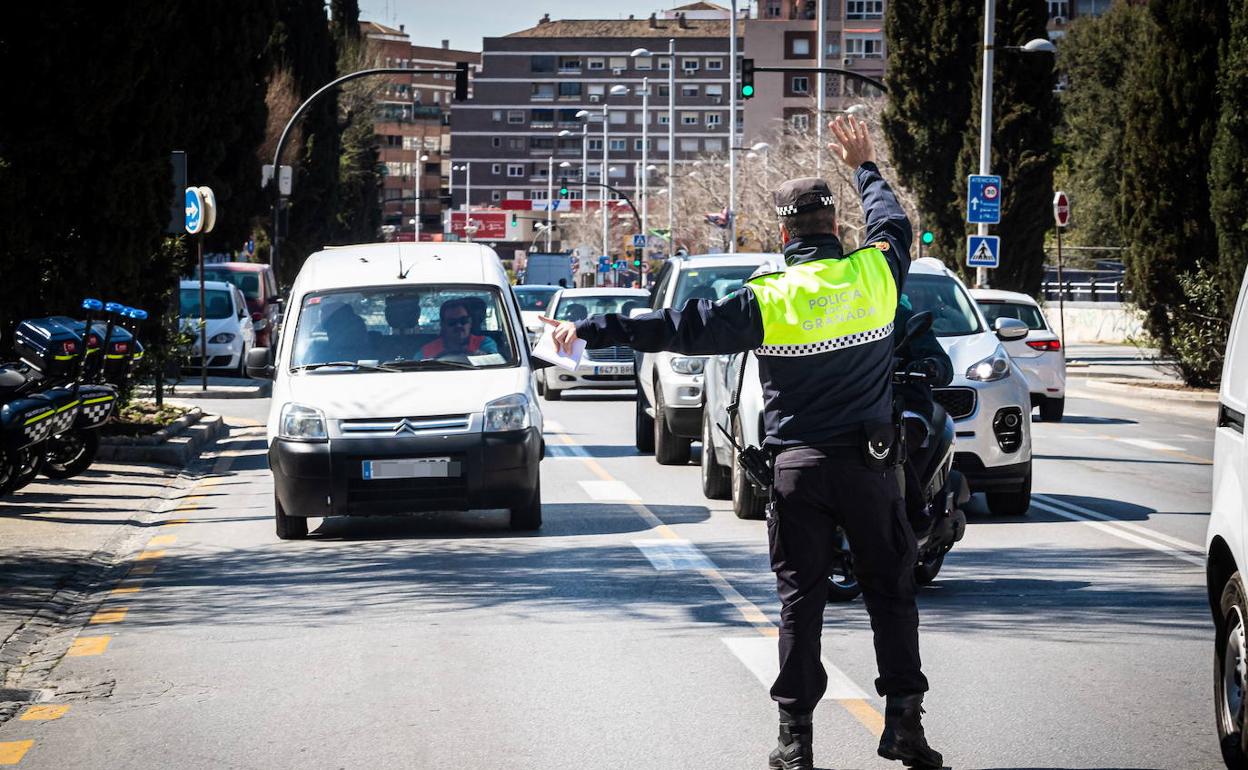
x=989 y=401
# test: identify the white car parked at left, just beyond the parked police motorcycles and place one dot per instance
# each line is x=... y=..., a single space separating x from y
x=229 y=328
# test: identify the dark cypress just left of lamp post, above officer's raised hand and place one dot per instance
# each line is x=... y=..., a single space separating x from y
x=933 y=53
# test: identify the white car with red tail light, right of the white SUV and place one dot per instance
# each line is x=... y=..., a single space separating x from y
x=1039 y=355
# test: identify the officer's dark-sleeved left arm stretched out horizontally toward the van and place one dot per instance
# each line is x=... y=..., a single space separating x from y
x=702 y=328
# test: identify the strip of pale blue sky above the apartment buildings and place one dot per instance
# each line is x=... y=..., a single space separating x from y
x=466 y=22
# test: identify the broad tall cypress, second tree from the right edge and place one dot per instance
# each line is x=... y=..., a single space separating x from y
x=1172 y=113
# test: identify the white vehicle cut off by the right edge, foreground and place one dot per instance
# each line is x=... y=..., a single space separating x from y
x=1227 y=547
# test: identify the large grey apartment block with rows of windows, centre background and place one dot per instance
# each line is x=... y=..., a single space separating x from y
x=535 y=83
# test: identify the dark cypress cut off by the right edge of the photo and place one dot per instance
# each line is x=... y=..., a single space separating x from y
x=1229 y=177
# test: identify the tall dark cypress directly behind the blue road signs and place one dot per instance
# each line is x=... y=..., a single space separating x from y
x=1024 y=115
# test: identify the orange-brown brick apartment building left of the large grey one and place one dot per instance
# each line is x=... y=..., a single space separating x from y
x=414 y=128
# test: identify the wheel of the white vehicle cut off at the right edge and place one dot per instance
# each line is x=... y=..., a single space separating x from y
x=1231 y=675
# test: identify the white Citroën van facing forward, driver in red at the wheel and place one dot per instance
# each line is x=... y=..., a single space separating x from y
x=402 y=384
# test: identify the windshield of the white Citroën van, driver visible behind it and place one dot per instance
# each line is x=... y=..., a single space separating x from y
x=404 y=328
